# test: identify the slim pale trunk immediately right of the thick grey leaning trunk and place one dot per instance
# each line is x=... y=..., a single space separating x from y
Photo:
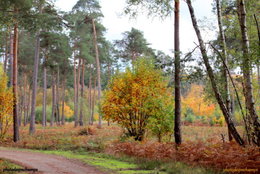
x=44 y=120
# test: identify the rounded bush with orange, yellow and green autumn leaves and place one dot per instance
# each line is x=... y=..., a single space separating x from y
x=137 y=98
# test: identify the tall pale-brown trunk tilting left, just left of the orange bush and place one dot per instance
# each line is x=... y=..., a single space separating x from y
x=98 y=70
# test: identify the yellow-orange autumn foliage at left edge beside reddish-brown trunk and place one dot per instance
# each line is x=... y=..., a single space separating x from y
x=6 y=106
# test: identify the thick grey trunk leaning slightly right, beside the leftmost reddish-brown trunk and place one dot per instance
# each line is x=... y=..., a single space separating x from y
x=35 y=81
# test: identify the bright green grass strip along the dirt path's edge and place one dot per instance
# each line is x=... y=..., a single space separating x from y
x=129 y=165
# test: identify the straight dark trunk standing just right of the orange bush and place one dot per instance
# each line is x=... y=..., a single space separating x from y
x=177 y=64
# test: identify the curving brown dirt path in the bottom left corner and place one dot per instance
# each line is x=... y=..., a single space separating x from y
x=47 y=164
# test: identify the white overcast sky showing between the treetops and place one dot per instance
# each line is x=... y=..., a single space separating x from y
x=160 y=34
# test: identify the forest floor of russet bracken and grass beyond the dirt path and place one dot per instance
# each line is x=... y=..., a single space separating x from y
x=204 y=150
